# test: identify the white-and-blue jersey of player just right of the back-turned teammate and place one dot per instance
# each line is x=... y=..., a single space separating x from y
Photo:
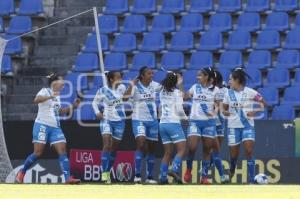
x=203 y=104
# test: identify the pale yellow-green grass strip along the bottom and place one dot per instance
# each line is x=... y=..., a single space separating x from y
x=29 y=191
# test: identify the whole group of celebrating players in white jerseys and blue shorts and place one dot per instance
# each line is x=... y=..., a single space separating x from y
x=213 y=105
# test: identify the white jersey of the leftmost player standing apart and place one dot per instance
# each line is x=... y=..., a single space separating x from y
x=48 y=111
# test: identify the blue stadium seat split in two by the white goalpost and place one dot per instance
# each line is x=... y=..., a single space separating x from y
x=91 y=46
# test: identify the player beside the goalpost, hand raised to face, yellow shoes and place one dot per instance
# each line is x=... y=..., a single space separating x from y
x=112 y=123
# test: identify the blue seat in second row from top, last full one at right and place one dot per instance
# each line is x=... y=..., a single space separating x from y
x=277 y=21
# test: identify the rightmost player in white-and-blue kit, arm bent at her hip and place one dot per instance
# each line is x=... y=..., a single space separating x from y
x=238 y=107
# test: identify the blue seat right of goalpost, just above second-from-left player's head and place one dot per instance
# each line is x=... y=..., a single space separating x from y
x=115 y=61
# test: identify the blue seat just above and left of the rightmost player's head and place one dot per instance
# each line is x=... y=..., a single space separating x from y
x=231 y=59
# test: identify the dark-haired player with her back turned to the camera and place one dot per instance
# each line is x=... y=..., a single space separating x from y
x=170 y=128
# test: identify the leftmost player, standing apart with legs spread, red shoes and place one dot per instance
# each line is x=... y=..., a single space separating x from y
x=47 y=127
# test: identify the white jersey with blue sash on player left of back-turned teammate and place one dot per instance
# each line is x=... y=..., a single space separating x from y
x=144 y=107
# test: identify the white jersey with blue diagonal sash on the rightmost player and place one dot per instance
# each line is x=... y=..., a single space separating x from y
x=240 y=103
